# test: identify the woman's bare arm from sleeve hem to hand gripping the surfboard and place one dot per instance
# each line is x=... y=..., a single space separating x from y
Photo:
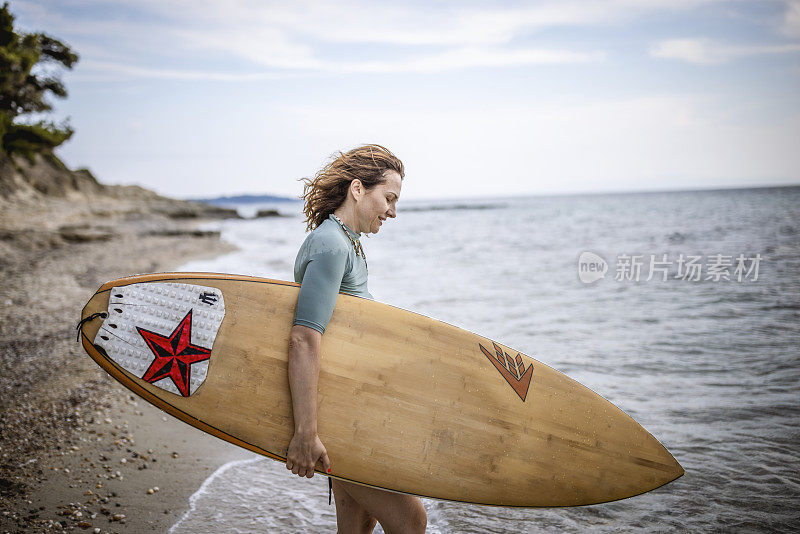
x=305 y=449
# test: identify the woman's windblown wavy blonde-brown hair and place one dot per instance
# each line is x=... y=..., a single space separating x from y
x=327 y=190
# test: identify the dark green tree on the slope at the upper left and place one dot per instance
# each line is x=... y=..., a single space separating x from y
x=23 y=92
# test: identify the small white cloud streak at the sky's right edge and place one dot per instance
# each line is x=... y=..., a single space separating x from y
x=704 y=51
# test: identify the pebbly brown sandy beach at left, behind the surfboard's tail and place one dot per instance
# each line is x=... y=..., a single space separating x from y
x=77 y=450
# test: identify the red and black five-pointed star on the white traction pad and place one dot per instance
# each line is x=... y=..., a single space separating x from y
x=175 y=355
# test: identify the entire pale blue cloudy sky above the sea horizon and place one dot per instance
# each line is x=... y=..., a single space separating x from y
x=202 y=98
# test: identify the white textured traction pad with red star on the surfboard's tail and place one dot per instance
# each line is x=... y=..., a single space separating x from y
x=163 y=333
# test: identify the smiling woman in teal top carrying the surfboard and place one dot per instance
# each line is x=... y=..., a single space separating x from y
x=353 y=194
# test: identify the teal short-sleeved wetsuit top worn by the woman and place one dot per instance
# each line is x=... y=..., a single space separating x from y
x=327 y=264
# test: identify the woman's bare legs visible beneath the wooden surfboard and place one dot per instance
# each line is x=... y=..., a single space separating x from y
x=361 y=506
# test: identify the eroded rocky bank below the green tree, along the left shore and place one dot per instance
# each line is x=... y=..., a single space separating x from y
x=44 y=205
